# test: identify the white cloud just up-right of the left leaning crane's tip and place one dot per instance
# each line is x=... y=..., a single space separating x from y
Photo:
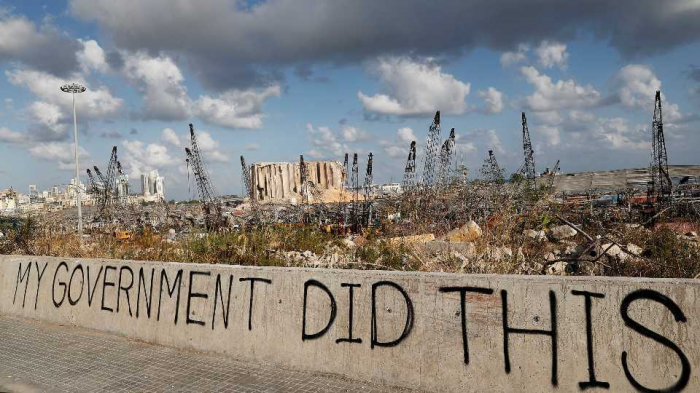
x=236 y=108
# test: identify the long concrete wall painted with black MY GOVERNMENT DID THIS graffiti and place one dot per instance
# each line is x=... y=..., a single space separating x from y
x=511 y=333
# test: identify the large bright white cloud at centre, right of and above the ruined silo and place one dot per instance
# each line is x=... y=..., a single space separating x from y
x=412 y=88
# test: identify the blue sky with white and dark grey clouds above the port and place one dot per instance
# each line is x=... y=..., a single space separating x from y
x=274 y=79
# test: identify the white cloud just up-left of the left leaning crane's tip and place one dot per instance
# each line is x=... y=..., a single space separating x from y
x=161 y=83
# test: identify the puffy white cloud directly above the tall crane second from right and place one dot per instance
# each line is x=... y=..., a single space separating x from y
x=563 y=94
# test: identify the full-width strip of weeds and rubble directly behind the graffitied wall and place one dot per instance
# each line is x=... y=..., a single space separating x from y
x=482 y=227
